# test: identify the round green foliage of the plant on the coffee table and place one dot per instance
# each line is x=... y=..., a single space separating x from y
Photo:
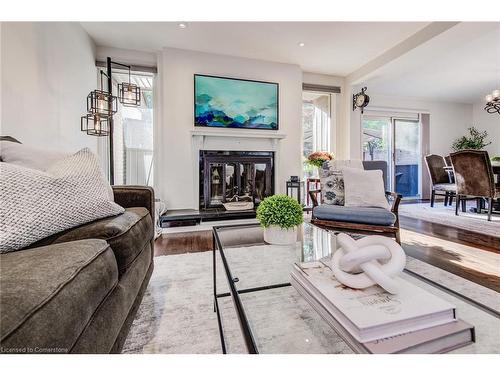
x=280 y=210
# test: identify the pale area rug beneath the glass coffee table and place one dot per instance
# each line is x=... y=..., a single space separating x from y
x=177 y=315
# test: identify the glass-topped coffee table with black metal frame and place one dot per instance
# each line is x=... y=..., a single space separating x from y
x=258 y=311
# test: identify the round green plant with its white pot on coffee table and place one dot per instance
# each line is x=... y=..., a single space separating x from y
x=280 y=215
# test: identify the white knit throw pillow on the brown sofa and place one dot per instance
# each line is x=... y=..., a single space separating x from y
x=36 y=204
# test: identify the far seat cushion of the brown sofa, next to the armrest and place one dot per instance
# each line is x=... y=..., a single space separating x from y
x=127 y=234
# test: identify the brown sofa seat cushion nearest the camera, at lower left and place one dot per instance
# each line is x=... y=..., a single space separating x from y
x=49 y=294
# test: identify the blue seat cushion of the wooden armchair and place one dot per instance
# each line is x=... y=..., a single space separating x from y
x=360 y=215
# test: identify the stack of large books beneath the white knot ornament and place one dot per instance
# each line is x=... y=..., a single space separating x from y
x=374 y=321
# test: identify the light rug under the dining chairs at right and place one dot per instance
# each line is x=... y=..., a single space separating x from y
x=446 y=216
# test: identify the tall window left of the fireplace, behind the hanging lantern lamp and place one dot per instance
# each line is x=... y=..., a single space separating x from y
x=133 y=133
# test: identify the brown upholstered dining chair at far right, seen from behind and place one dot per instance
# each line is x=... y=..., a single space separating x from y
x=474 y=177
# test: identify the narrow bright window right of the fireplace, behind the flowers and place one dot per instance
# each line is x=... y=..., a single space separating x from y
x=316 y=126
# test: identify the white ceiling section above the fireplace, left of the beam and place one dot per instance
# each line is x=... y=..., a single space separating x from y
x=335 y=48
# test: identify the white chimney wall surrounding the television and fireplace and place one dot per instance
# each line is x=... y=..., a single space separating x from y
x=175 y=182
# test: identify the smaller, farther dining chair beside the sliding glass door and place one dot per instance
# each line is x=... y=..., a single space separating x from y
x=440 y=179
